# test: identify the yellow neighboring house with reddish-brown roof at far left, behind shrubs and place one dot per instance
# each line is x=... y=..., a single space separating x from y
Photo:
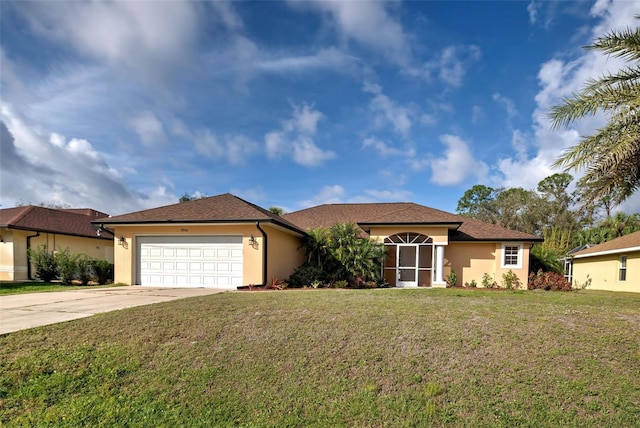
x=29 y=226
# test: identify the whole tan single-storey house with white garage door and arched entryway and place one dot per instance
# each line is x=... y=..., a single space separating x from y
x=224 y=241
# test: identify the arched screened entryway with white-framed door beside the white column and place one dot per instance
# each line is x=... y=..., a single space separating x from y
x=409 y=260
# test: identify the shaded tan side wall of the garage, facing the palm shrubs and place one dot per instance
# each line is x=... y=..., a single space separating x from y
x=284 y=256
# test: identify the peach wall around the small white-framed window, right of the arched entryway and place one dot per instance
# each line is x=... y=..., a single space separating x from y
x=471 y=261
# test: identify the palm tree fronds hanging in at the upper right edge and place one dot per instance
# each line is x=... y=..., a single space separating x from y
x=611 y=156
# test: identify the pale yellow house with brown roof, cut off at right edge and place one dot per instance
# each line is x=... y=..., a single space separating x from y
x=613 y=265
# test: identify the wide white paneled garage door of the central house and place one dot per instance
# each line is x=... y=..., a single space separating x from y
x=212 y=261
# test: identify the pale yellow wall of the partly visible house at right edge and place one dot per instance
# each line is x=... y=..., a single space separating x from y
x=603 y=272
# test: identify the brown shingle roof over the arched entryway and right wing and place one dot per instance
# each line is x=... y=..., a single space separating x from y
x=368 y=214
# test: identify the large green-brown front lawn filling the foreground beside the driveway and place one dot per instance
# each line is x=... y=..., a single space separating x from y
x=334 y=358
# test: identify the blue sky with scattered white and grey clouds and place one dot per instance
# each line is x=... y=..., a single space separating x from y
x=122 y=106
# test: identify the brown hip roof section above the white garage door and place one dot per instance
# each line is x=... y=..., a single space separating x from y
x=222 y=208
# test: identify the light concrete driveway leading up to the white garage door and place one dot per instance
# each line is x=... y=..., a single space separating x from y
x=22 y=311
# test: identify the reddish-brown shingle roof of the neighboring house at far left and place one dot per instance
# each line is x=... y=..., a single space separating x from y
x=49 y=220
